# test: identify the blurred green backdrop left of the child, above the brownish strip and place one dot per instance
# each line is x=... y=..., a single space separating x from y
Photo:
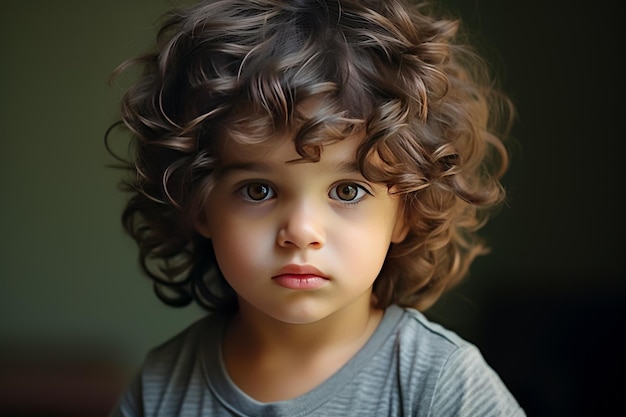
x=68 y=274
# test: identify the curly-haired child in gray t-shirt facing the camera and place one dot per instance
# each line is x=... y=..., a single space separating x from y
x=313 y=173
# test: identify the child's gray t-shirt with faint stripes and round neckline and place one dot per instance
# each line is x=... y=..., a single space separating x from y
x=409 y=367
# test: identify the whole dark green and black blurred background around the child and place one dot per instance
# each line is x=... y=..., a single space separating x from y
x=546 y=306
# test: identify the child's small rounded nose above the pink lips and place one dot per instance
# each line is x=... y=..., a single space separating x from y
x=302 y=227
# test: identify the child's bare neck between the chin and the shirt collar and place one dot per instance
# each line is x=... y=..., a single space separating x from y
x=272 y=360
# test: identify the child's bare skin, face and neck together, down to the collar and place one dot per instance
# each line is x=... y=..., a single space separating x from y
x=302 y=244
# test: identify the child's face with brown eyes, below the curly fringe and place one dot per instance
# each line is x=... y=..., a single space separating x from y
x=299 y=241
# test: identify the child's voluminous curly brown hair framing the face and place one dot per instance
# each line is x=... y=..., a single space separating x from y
x=434 y=125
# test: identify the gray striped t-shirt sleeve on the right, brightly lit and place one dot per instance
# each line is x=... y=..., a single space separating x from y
x=468 y=386
